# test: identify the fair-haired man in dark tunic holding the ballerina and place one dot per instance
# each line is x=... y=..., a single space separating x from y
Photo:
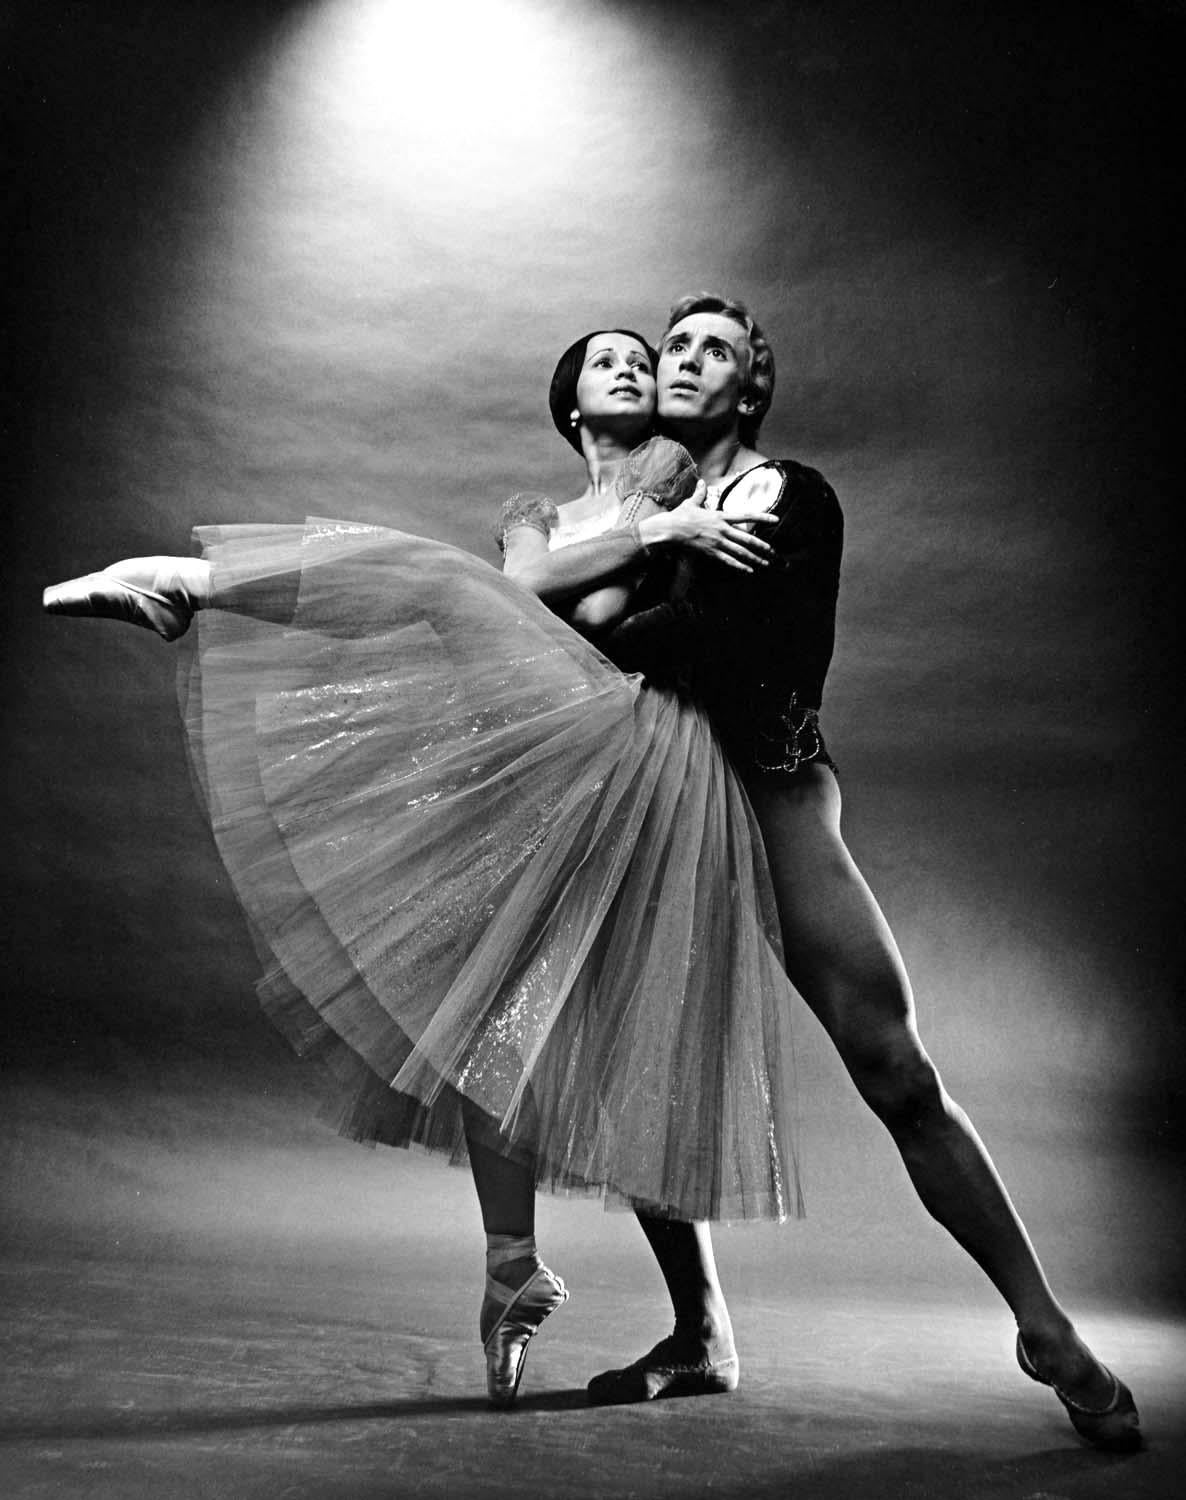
x=755 y=649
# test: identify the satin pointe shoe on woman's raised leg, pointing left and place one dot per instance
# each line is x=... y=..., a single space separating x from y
x=158 y=593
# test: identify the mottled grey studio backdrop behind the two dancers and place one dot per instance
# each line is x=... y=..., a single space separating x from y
x=274 y=260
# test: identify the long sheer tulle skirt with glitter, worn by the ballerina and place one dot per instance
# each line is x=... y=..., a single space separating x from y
x=491 y=877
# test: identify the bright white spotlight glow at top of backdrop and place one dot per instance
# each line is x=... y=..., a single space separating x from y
x=400 y=200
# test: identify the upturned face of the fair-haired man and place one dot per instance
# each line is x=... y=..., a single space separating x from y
x=704 y=367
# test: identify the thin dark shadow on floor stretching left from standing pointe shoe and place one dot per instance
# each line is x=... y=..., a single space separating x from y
x=107 y=1424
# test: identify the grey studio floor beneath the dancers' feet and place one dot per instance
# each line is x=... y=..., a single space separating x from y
x=224 y=1369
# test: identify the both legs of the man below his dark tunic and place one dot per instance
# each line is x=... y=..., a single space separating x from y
x=843 y=961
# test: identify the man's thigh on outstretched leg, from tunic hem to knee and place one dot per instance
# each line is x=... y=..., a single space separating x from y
x=840 y=952
